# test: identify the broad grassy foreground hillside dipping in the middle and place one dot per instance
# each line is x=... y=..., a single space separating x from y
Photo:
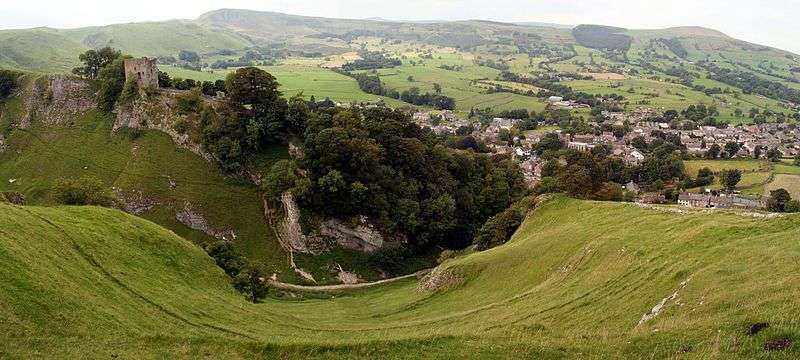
x=574 y=282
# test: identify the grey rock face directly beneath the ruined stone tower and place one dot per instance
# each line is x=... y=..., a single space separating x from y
x=157 y=112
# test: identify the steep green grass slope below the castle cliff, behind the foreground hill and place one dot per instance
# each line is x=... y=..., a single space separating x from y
x=37 y=157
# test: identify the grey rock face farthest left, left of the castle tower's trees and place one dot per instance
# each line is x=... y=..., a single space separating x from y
x=55 y=99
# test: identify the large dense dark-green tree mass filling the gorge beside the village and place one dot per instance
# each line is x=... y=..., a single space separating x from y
x=379 y=164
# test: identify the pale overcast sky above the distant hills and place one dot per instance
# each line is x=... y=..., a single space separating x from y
x=773 y=22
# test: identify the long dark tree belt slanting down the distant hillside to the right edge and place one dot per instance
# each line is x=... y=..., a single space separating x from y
x=751 y=83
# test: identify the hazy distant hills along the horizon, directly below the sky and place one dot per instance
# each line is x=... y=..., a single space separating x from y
x=55 y=50
